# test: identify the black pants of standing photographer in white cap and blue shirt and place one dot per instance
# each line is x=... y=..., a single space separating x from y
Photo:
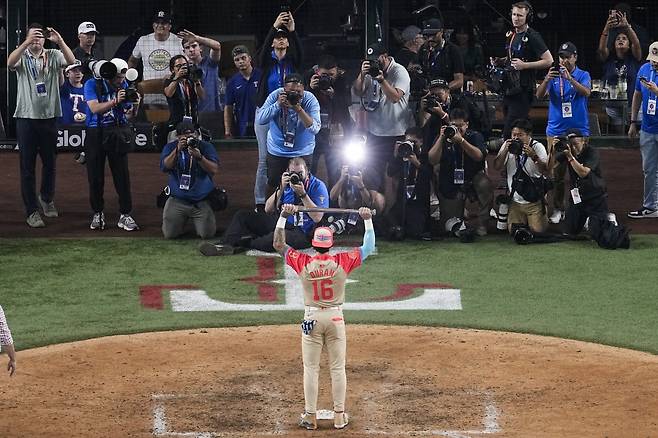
x=97 y=153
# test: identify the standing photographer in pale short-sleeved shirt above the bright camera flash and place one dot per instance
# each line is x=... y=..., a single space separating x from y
x=384 y=93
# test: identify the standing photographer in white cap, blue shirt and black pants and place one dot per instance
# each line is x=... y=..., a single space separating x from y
x=109 y=137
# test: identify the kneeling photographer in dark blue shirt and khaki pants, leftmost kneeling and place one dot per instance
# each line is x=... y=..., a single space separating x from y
x=191 y=164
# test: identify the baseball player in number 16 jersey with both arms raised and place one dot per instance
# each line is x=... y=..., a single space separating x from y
x=323 y=278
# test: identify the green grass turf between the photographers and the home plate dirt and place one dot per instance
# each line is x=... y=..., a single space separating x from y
x=58 y=290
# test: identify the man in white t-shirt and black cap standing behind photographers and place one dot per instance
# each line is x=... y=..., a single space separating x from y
x=155 y=50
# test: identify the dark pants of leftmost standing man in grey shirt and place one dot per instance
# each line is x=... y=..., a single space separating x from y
x=36 y=137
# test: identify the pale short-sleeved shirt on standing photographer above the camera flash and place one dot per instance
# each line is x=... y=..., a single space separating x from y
x=389 y=119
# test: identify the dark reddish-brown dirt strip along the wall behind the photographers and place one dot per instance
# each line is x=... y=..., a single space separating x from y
x=622 y=170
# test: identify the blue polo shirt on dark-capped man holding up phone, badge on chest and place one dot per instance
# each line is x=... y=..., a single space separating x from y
x=558 y=125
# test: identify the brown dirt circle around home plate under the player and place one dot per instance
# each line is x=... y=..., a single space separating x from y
x=402 y=381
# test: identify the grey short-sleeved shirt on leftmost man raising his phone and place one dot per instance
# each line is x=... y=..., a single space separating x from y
x=30 y=71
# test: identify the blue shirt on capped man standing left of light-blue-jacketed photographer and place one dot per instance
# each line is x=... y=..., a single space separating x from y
x=241 y=93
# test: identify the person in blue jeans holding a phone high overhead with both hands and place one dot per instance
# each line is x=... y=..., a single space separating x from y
x=284 y=58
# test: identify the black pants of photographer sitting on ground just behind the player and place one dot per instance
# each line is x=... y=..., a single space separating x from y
x=260 y=227
